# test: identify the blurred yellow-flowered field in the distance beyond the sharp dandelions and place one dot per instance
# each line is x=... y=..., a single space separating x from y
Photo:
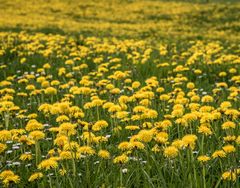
x=161 y=20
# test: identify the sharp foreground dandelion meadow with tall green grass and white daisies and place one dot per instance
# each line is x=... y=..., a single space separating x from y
x=96 y=111
